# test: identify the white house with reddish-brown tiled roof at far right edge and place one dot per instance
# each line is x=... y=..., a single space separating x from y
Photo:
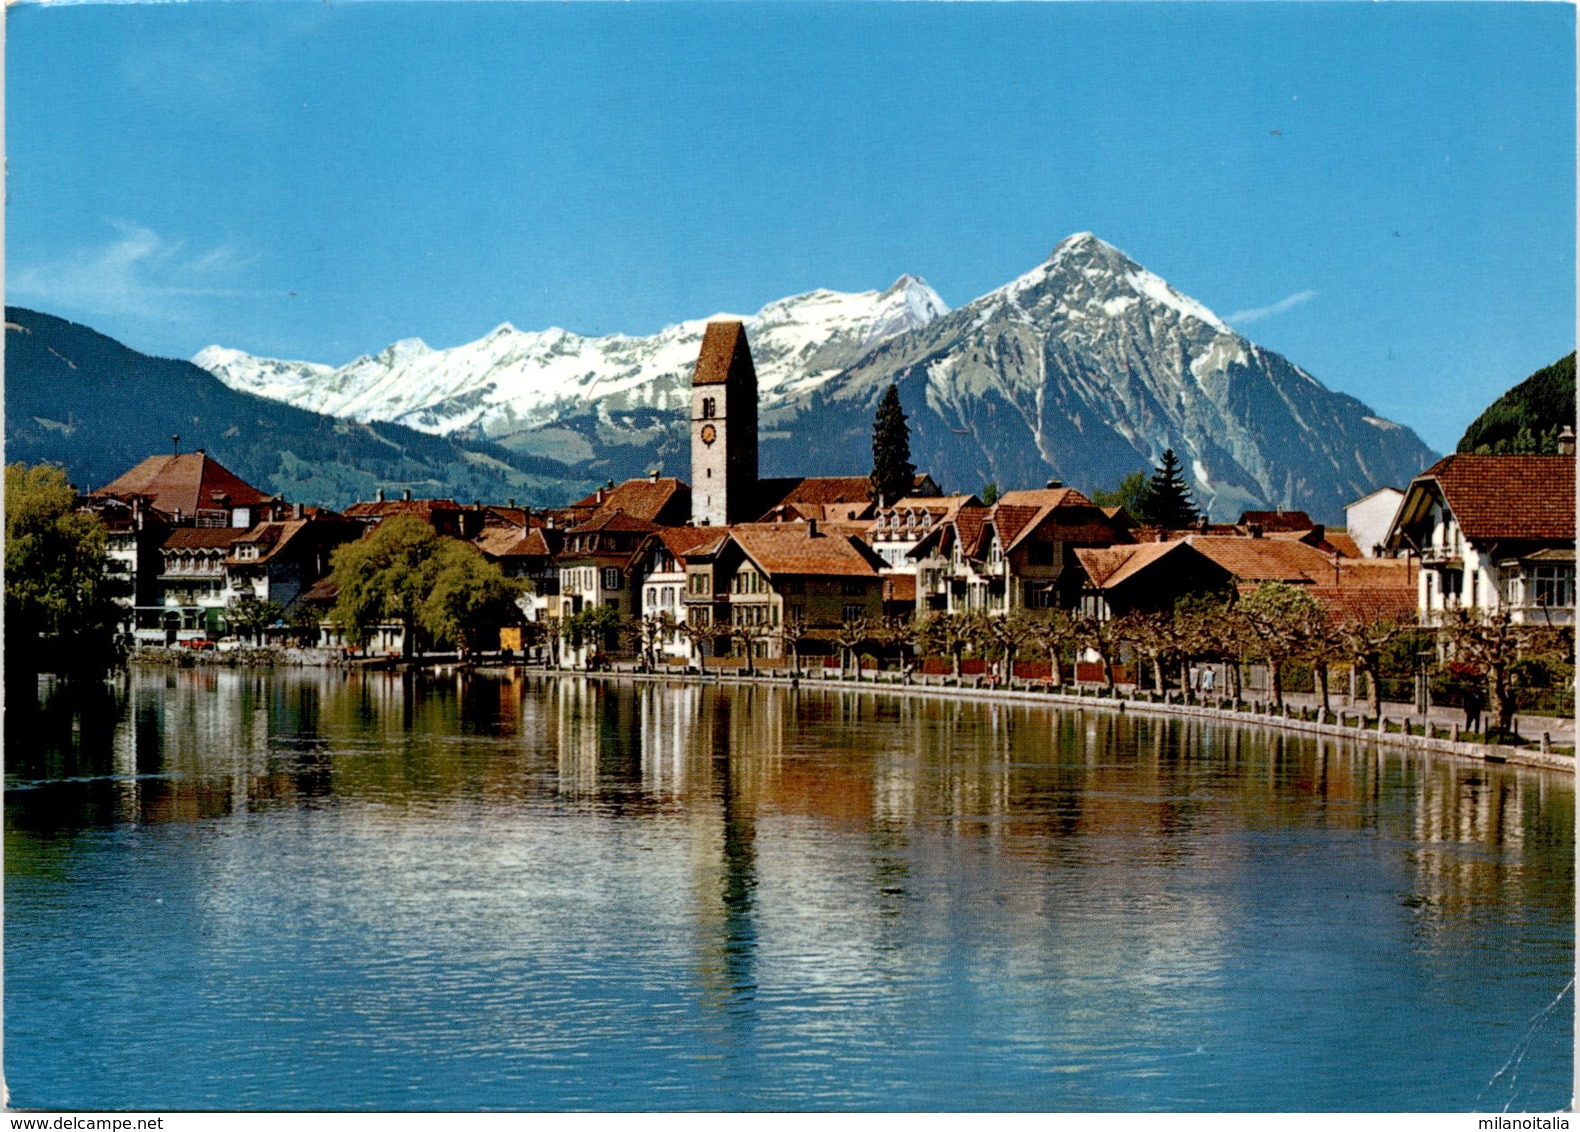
x=1492 y=532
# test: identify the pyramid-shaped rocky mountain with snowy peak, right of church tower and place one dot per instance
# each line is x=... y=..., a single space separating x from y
x=1088 y=368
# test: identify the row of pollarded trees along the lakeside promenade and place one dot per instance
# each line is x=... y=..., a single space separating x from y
x=1477 y=658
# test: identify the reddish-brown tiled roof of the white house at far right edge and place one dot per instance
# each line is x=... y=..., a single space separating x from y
x=1508 y=497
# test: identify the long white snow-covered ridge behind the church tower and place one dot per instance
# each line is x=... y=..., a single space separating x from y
x=519 y=388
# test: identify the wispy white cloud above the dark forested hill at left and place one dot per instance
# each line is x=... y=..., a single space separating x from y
x=140 y=274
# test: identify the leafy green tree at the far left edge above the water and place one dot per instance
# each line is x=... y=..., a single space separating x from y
x=59 y=614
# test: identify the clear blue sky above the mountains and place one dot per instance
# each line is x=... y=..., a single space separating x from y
x=1385 y=194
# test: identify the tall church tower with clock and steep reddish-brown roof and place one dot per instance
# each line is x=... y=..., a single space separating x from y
x=724 y=429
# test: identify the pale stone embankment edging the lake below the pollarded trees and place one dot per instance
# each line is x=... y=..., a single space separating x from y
x=1399 y=730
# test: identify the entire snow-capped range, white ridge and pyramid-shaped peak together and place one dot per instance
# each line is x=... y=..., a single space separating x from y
x=1083 y=369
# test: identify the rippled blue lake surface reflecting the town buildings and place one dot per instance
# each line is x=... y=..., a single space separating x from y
x=323 y=891
